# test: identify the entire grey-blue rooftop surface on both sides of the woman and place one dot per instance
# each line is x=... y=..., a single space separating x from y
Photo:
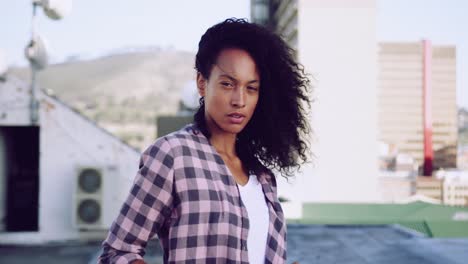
x=321 y=244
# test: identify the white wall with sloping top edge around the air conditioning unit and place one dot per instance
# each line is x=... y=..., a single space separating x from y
x=67 y=140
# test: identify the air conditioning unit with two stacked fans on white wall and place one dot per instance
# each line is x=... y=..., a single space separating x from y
x=88 y=209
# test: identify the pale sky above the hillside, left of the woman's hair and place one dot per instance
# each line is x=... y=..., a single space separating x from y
x=96 y=27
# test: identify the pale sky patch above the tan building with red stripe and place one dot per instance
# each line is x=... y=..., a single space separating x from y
x=443 y=22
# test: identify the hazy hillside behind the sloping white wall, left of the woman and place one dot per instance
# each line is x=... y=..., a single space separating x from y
x=123 y=93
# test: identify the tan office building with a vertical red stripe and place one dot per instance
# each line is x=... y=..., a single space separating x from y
x=417 y=80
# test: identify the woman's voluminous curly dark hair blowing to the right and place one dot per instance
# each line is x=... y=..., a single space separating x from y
x=274 y=137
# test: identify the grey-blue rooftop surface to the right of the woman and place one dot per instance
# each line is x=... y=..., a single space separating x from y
x=371 y=244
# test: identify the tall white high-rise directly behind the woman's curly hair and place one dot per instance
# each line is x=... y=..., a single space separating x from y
x=335 y=40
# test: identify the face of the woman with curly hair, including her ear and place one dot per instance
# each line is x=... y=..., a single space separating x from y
x=231 y=92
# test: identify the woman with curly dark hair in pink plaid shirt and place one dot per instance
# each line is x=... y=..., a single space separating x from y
x=207 y=190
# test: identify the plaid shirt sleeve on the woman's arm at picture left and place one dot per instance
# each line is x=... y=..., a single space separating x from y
x=146 y=208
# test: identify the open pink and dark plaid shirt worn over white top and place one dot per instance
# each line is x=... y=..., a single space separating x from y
x=184 y=193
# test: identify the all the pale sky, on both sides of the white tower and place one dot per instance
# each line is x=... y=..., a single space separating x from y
x=98 y=27
